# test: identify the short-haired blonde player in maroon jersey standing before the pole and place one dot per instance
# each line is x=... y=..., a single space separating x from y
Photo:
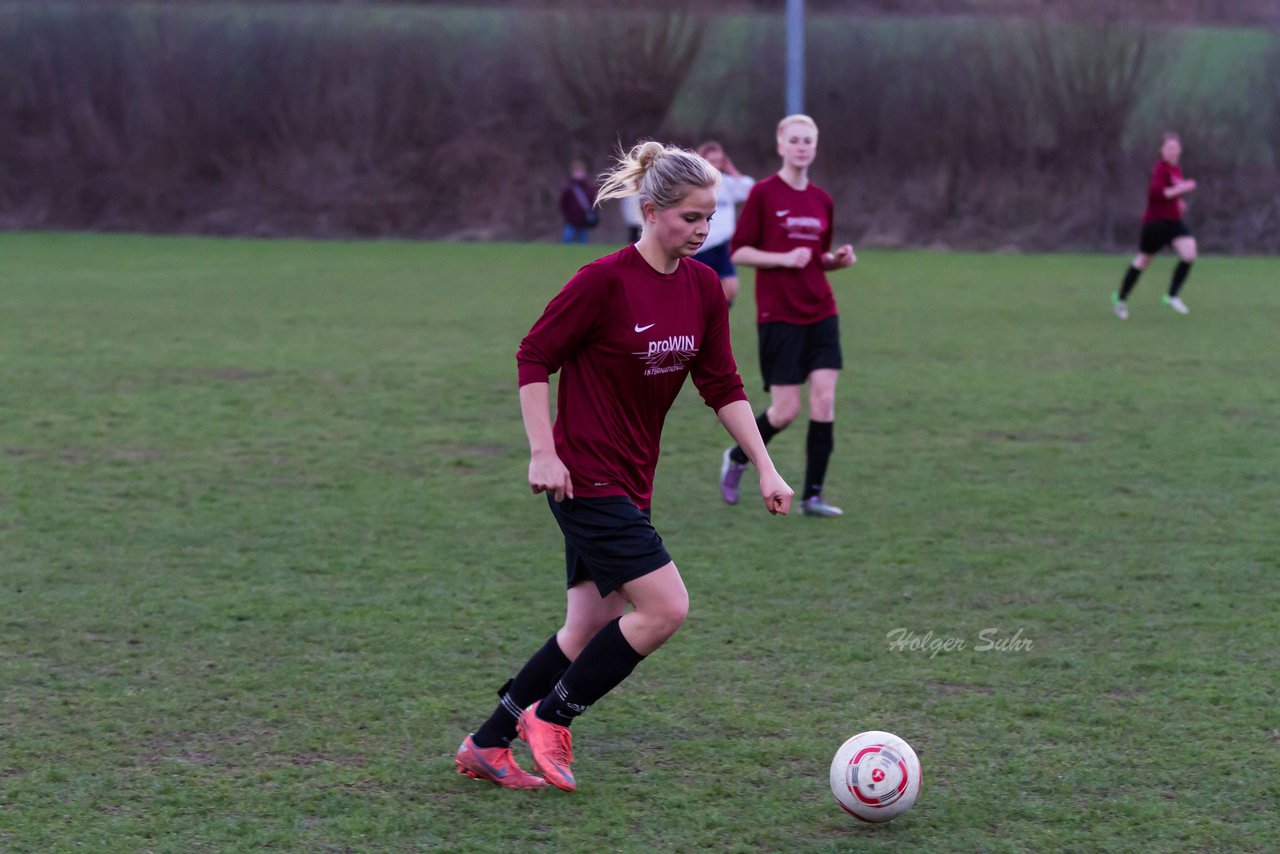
x=785 y=231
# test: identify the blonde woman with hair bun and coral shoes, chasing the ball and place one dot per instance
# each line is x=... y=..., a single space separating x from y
x=624 y=334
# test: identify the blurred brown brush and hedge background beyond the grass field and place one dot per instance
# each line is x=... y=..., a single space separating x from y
x=944 y=124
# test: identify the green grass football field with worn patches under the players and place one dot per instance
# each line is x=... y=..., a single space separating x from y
x=267 y=552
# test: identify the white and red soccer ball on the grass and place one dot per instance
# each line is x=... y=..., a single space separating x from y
x=876 y=777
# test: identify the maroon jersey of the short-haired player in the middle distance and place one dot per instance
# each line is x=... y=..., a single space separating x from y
x=779 y=218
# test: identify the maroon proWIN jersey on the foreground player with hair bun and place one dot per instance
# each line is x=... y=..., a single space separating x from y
x=624 y=339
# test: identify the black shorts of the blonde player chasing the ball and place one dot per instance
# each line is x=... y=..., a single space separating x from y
x=607 y=541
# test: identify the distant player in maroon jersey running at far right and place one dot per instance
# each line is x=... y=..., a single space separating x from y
x=1163 y=225
